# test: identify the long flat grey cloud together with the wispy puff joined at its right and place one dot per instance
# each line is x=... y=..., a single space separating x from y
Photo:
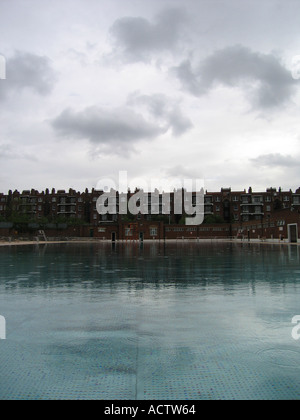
x=118 y=129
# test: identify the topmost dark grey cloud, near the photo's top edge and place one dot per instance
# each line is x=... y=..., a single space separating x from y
x=136 y=38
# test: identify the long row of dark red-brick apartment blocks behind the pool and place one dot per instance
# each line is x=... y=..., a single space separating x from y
x=248 y=213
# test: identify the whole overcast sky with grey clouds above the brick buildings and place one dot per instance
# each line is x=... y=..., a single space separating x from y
x=161 y=89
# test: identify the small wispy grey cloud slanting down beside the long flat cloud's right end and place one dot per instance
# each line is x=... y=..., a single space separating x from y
x=165 y=110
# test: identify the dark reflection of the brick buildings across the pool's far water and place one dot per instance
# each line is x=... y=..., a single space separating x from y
x=155 y=265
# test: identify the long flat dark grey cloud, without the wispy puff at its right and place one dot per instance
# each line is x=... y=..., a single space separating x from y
x=119 y=127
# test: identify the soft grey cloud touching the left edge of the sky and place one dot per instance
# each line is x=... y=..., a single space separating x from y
x=27 y=71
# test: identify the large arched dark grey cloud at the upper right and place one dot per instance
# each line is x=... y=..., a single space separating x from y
x=267 y=83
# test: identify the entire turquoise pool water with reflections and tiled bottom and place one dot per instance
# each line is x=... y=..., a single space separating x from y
x=180 y=321
